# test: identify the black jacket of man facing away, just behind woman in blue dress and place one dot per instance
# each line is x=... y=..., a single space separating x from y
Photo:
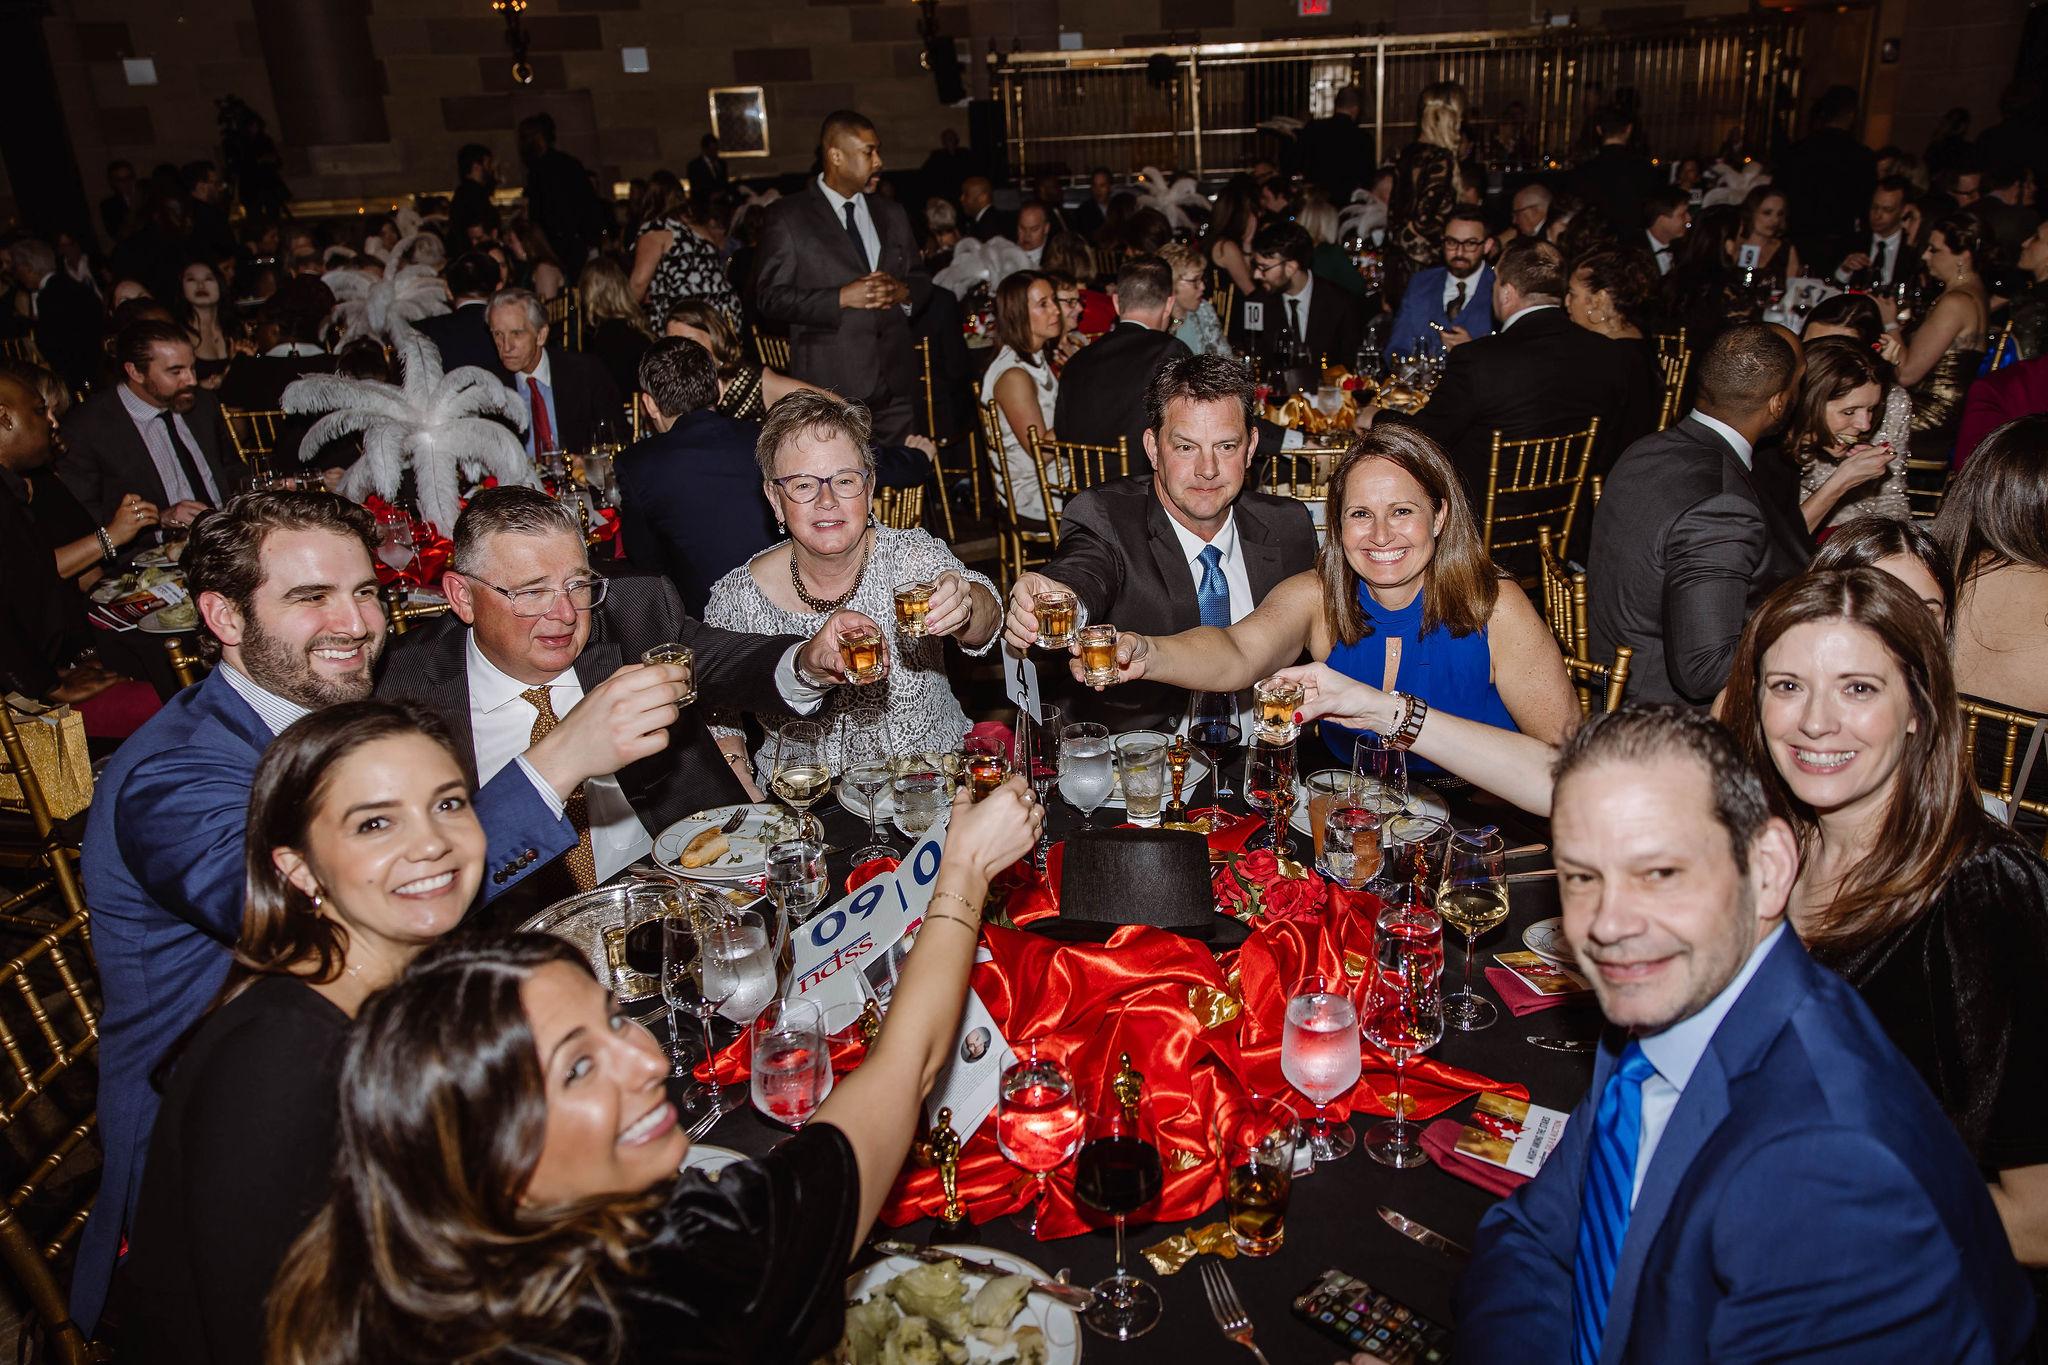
x=1541 y=378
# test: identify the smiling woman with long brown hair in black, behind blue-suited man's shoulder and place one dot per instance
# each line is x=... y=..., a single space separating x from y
x=1842 y=697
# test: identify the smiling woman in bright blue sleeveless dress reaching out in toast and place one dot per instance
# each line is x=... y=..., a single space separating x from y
x=1406 y=603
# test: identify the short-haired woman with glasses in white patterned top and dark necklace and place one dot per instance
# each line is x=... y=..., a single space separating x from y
x=818 y=474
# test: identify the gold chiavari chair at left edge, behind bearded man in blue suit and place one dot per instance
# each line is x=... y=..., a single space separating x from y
x=48 y=1028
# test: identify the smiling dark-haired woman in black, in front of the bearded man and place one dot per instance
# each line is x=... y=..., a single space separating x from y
x=361 y=850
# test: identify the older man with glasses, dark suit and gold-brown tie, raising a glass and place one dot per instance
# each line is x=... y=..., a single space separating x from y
x=540 y=648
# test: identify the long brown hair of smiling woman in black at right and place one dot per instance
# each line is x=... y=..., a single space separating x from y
x=1934 y=818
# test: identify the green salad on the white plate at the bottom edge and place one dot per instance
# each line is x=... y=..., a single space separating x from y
x=935 y=1315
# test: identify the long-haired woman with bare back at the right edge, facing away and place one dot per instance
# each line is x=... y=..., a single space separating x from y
x=1994 y=527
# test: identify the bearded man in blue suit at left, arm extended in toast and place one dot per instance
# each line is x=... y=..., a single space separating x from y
x=288 y=601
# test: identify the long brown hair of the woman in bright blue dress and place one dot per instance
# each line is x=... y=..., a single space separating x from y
x=1461 y=584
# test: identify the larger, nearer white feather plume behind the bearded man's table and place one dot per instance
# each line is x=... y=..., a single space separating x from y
x=447 y=429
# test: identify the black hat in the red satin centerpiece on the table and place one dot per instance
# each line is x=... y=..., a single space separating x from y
x=1138 y=877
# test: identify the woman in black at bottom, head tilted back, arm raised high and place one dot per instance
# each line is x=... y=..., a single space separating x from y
x=507 y=1186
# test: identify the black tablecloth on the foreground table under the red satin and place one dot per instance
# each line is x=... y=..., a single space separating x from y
x=1332 y=1223
